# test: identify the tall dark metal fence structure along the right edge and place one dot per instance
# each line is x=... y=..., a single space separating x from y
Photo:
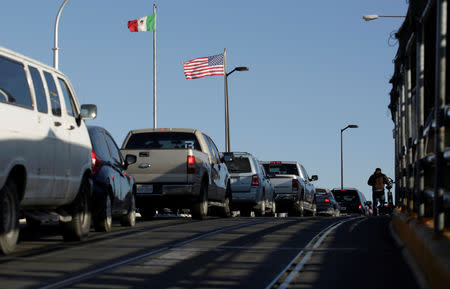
x=421 y=113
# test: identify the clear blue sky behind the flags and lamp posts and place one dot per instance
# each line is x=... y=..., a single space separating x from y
x=314 y=68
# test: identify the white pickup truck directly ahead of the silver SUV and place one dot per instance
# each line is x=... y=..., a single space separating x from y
x=294 y=190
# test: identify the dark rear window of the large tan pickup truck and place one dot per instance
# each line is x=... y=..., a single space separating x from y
x=163 y=140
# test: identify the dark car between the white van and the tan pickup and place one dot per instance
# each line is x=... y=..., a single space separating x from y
x=114 y=191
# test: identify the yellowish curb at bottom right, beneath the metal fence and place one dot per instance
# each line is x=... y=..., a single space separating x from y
x=430 y=254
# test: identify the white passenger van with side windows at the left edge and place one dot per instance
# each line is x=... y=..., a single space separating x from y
x=45 y=150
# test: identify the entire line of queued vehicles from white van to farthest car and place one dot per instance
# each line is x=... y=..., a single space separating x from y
x=55 y=168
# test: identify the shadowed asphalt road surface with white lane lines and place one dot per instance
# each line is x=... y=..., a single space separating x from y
x=308 y=252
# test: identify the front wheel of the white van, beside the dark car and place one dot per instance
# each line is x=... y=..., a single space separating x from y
x=80 y=209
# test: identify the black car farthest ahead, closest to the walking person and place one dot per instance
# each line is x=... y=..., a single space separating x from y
x=351 y=201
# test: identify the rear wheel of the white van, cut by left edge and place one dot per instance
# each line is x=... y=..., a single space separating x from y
x=9 y=218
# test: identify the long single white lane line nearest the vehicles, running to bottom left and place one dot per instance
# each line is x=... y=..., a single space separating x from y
x=86 y=275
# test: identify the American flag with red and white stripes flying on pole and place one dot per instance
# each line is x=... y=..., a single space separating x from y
x=204 y=66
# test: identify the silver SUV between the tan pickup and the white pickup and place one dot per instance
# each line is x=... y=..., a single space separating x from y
x=250 y=187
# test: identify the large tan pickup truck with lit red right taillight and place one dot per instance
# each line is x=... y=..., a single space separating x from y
x=177 y=169
